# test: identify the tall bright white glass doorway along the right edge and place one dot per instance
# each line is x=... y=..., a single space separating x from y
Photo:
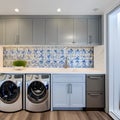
x=113 y=62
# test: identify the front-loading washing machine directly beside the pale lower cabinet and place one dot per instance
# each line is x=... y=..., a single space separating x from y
x=37 y=92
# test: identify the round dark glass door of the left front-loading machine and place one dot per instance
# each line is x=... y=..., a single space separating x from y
x=9 y=92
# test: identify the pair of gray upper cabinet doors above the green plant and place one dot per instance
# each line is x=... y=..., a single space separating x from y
x=18 y=31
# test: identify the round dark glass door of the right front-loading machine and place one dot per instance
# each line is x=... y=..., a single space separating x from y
x=37 y=92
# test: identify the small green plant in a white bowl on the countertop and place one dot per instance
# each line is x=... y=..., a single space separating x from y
x=19 y=64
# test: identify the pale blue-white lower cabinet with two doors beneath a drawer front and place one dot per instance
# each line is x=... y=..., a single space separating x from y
x=68 y=91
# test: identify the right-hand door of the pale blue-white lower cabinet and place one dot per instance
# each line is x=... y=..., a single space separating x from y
x=77 y=96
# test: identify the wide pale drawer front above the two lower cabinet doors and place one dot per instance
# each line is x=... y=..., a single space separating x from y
x=68 y=78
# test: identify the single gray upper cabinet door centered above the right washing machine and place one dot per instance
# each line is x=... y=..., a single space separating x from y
x=39 y=31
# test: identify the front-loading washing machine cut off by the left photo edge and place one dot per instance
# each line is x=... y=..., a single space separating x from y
x=10 y=92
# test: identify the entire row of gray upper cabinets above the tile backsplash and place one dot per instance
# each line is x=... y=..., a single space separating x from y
x=51 y=30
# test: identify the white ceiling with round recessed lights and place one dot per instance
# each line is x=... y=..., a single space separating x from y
x=49 y=7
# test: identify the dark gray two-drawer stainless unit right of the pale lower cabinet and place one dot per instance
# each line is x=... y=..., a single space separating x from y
x=95 y=88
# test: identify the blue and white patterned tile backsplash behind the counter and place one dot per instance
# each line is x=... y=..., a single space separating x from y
x=50 y=56
